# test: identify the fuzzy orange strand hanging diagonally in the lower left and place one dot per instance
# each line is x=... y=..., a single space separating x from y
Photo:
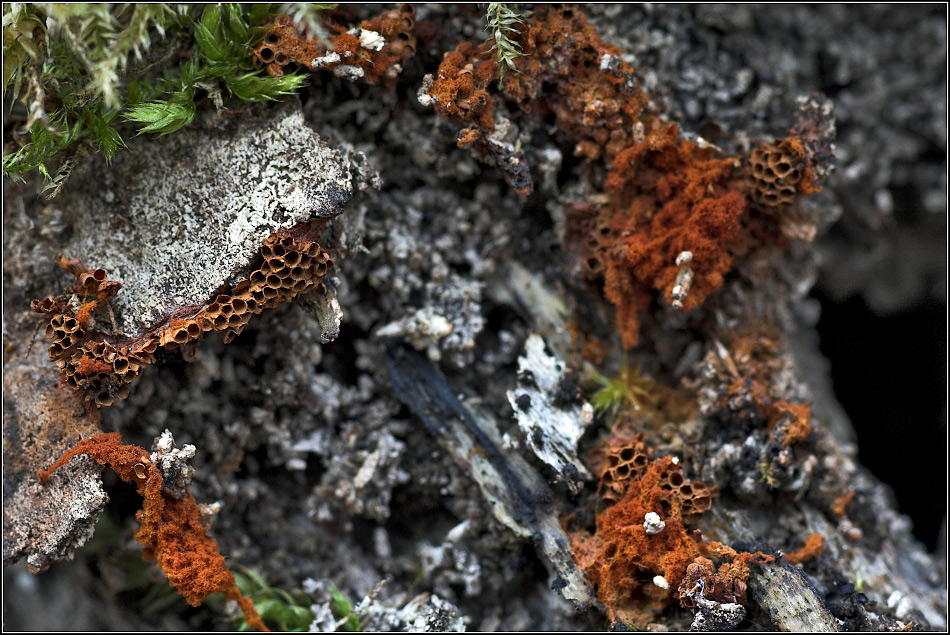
x=170 y=528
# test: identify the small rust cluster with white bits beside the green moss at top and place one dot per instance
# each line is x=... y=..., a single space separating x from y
x=374 y=49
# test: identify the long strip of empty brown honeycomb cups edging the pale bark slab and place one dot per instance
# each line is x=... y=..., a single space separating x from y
x=102 y=365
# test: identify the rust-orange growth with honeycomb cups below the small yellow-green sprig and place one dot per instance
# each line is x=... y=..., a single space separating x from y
x=639 y=565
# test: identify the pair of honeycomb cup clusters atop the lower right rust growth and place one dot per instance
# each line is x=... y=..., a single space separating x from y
x=626 y=462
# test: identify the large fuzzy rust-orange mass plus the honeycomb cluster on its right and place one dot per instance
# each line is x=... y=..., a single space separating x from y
x=676 y=217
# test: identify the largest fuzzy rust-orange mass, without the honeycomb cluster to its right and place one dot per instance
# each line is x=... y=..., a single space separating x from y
x=672 y=216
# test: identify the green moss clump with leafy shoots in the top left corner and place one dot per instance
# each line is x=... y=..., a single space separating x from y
x=81 y=69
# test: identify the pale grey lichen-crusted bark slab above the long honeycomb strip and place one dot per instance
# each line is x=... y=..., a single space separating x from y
x=177 y=217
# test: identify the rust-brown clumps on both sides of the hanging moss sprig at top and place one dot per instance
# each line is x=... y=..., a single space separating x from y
x=565 y=69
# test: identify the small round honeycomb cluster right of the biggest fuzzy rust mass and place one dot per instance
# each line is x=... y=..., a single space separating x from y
x=779 y=172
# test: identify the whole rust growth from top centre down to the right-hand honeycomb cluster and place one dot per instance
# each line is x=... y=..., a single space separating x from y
x=675 y=216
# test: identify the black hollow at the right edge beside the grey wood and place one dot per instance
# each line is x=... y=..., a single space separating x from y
x=890 y=375
